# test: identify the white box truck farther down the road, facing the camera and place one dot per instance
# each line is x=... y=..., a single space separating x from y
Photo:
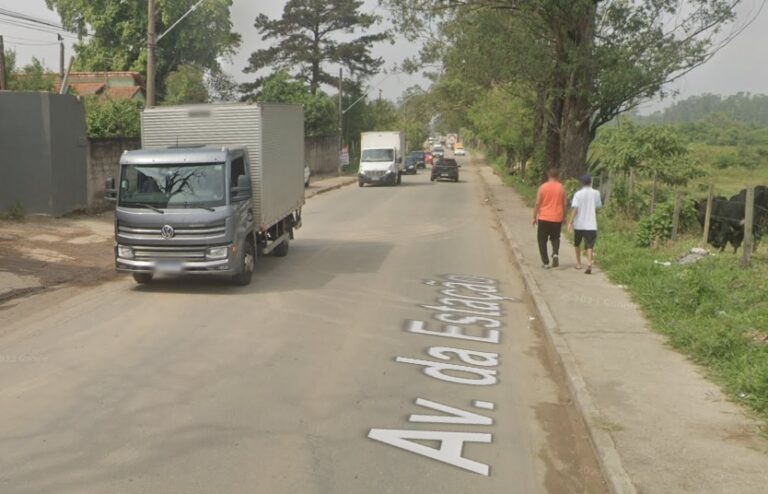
x=381 y=158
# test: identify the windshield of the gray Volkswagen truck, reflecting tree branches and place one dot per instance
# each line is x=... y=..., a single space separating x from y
x=173 y=186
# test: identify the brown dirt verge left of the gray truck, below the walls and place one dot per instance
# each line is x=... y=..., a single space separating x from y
x=53 y=251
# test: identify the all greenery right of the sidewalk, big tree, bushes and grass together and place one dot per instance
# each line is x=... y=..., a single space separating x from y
x=575 y=113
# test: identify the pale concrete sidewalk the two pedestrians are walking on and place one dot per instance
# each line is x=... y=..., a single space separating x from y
x=657 y=424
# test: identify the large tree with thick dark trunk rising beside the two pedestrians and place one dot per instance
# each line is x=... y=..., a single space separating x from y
x=609 y=55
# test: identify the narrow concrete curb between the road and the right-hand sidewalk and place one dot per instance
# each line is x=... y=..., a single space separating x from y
x=602 y=443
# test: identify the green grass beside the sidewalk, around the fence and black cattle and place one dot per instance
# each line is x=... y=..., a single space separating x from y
x=715 y=311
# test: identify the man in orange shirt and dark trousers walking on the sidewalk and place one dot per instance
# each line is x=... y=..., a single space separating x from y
x=549 y=214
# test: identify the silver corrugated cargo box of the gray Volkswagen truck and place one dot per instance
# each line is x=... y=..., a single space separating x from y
x=273 y=135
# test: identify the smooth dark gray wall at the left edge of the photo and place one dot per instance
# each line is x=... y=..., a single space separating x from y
x=42 y=152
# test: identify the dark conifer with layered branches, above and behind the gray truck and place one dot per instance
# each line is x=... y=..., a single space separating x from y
x=312 y=34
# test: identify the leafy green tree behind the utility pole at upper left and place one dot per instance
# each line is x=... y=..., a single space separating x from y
x=113 y=34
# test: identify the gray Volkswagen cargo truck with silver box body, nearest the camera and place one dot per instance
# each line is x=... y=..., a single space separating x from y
x=213 y=188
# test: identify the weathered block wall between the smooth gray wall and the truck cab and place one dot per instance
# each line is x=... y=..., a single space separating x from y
x=104 y=162
